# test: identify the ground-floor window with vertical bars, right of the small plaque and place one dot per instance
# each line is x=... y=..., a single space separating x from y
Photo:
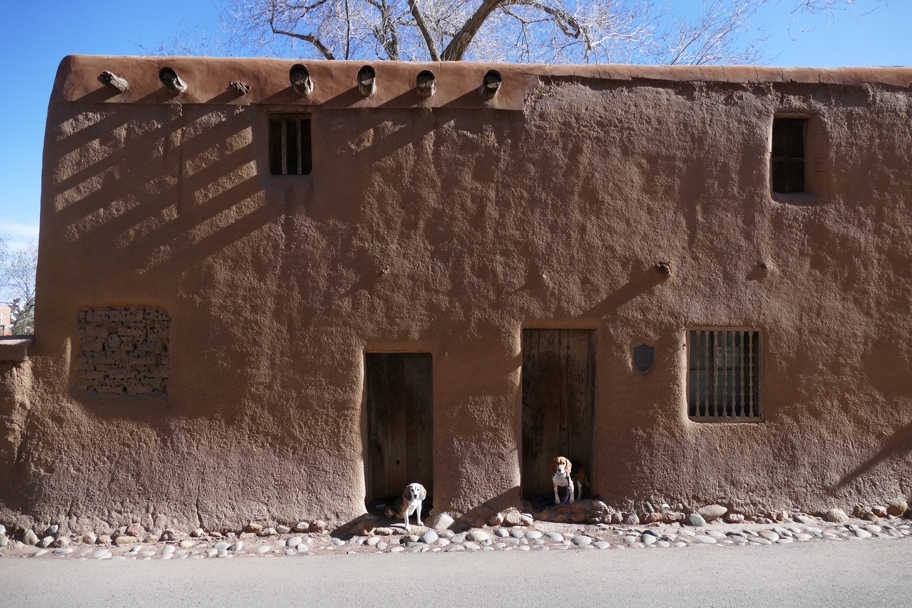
x=725 y=378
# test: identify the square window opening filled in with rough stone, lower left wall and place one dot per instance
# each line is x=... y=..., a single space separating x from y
x=123 y=350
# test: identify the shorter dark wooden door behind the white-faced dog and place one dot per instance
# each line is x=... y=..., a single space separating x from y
x=400 y=422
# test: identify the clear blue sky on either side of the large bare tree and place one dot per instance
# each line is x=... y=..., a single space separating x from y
x=36 y=37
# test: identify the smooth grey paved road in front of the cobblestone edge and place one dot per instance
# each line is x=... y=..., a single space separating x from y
x=864 y=573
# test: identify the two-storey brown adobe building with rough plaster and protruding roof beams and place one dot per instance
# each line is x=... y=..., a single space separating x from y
x=274 y=293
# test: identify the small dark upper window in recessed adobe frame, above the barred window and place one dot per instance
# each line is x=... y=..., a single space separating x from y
x=799 y=160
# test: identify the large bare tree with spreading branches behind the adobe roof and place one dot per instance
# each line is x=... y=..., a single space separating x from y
x=549 y=31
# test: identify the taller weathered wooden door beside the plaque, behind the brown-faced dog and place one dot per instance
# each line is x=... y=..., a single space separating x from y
x=559 y=393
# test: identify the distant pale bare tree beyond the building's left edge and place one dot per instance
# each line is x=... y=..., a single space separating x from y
x=17 y=282
